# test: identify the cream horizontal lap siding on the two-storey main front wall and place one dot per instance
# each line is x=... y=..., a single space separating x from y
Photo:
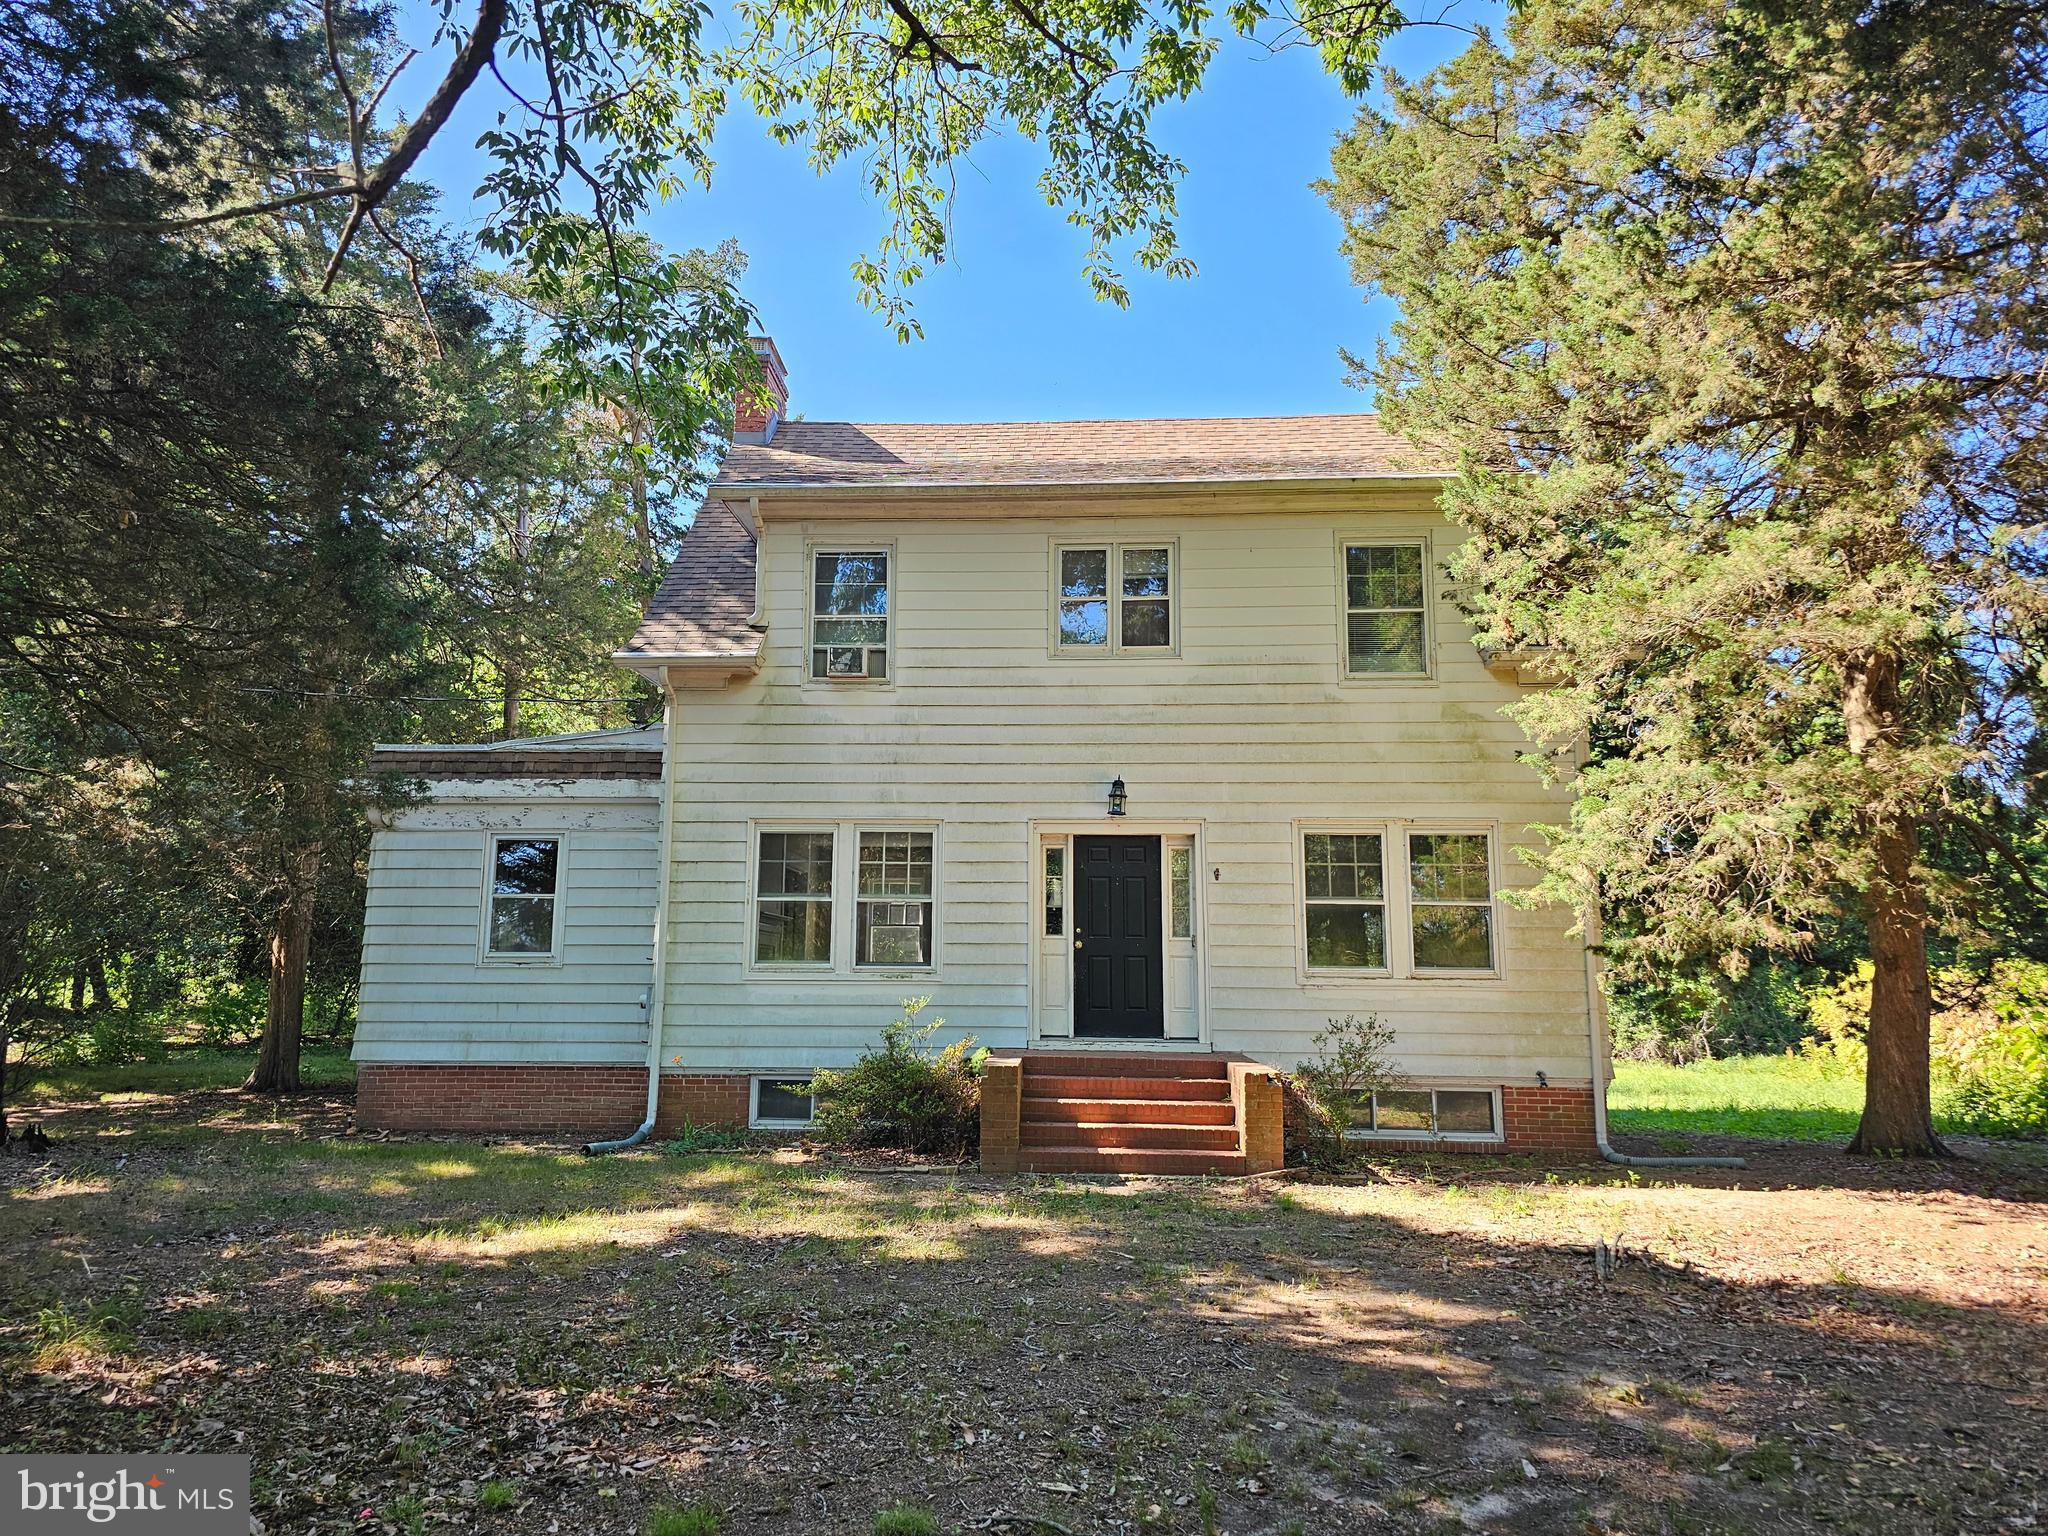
x=1248 y=730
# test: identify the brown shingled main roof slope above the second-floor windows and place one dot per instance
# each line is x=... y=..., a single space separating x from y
x=1074 y=454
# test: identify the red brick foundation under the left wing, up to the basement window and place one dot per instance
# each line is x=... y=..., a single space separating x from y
x=550 y=1101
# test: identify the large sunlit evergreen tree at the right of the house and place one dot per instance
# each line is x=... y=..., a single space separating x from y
x=1734 y=316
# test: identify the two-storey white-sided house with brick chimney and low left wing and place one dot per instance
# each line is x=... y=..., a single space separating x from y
x=1142 y=749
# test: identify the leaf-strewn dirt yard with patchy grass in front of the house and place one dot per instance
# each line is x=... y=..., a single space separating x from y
x=404 y=1334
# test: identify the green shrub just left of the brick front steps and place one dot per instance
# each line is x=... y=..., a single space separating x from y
x=906 y=1095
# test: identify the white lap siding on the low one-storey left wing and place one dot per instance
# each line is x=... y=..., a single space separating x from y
x=427 y=996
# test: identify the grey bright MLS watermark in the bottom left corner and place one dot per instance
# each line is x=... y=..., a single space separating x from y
x=165 y=1496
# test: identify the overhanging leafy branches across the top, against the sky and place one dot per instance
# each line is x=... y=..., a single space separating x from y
x=609 y=105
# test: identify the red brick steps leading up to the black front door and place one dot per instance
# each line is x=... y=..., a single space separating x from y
x=1127 y=1113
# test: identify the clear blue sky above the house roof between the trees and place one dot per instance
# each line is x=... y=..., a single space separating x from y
x=1013 y=331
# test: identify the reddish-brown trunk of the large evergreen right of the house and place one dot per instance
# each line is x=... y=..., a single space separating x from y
x=1900 y=1076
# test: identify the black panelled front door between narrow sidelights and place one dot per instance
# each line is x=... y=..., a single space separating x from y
x=1119 y=959
